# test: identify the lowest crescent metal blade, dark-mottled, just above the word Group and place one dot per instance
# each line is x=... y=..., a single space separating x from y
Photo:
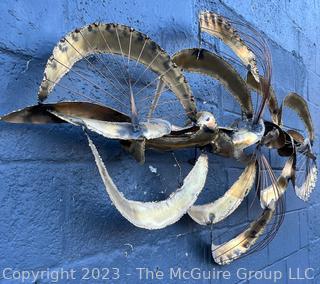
x=226 y=253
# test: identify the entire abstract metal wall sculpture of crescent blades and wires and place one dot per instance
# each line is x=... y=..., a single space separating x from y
x=138 y=123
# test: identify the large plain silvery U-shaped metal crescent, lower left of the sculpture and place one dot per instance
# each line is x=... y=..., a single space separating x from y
x=156 y=215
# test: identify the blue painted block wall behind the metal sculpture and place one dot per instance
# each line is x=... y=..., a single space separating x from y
x=54 y=210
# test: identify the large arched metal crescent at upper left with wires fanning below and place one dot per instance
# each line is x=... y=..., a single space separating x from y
x=117 y=39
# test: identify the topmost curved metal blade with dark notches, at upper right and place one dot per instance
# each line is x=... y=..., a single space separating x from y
x=218 y=26
